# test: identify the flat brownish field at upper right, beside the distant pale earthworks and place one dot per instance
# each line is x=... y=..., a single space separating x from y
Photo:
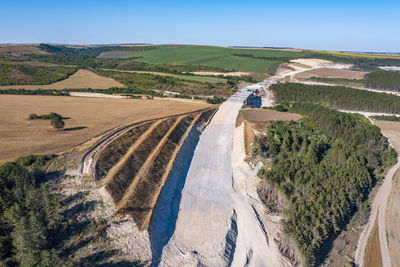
x=332 y=73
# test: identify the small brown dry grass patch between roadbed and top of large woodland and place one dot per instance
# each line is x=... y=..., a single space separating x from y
x=262 y=115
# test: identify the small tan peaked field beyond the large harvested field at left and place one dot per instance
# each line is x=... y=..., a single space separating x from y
x=79 y=80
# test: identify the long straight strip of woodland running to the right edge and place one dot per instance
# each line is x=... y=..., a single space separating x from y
x=338 y=96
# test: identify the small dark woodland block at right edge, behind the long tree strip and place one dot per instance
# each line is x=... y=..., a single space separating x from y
x=383 y=79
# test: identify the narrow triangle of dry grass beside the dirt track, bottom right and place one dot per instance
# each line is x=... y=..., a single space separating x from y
x=373 y=257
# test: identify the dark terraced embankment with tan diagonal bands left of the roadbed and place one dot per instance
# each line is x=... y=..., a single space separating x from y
x=134 y=167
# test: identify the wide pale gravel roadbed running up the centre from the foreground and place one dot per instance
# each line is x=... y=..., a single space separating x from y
x=206 y=218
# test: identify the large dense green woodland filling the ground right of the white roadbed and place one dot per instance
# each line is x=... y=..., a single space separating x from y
x=325 y=165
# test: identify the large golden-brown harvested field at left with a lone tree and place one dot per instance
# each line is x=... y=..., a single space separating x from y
x=88 y=117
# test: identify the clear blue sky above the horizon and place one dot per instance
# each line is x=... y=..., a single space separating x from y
x=361 y=25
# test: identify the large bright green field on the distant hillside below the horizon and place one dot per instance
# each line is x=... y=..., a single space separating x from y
x=220 y=57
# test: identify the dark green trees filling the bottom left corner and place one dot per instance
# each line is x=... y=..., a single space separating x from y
x=29 y=215
